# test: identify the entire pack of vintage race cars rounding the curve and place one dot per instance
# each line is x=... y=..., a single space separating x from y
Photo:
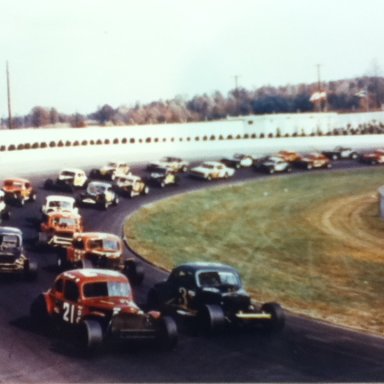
x=92 y=295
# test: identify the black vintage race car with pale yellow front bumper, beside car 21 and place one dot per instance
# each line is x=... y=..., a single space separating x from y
x=213 y=295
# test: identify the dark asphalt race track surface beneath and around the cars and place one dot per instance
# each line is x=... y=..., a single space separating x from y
x=306 y=350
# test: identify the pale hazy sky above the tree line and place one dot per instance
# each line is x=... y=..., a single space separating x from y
x=77 y=55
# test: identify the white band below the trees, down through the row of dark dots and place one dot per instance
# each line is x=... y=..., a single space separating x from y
x=248 y=127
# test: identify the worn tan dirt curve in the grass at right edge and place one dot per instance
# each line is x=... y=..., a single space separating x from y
x=354 y=221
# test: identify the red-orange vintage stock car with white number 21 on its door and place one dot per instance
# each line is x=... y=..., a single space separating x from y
x=94 y=306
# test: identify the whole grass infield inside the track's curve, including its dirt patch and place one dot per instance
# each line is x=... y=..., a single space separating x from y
x=313 y=242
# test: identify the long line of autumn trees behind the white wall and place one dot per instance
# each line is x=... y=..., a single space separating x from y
x=349 y=95
